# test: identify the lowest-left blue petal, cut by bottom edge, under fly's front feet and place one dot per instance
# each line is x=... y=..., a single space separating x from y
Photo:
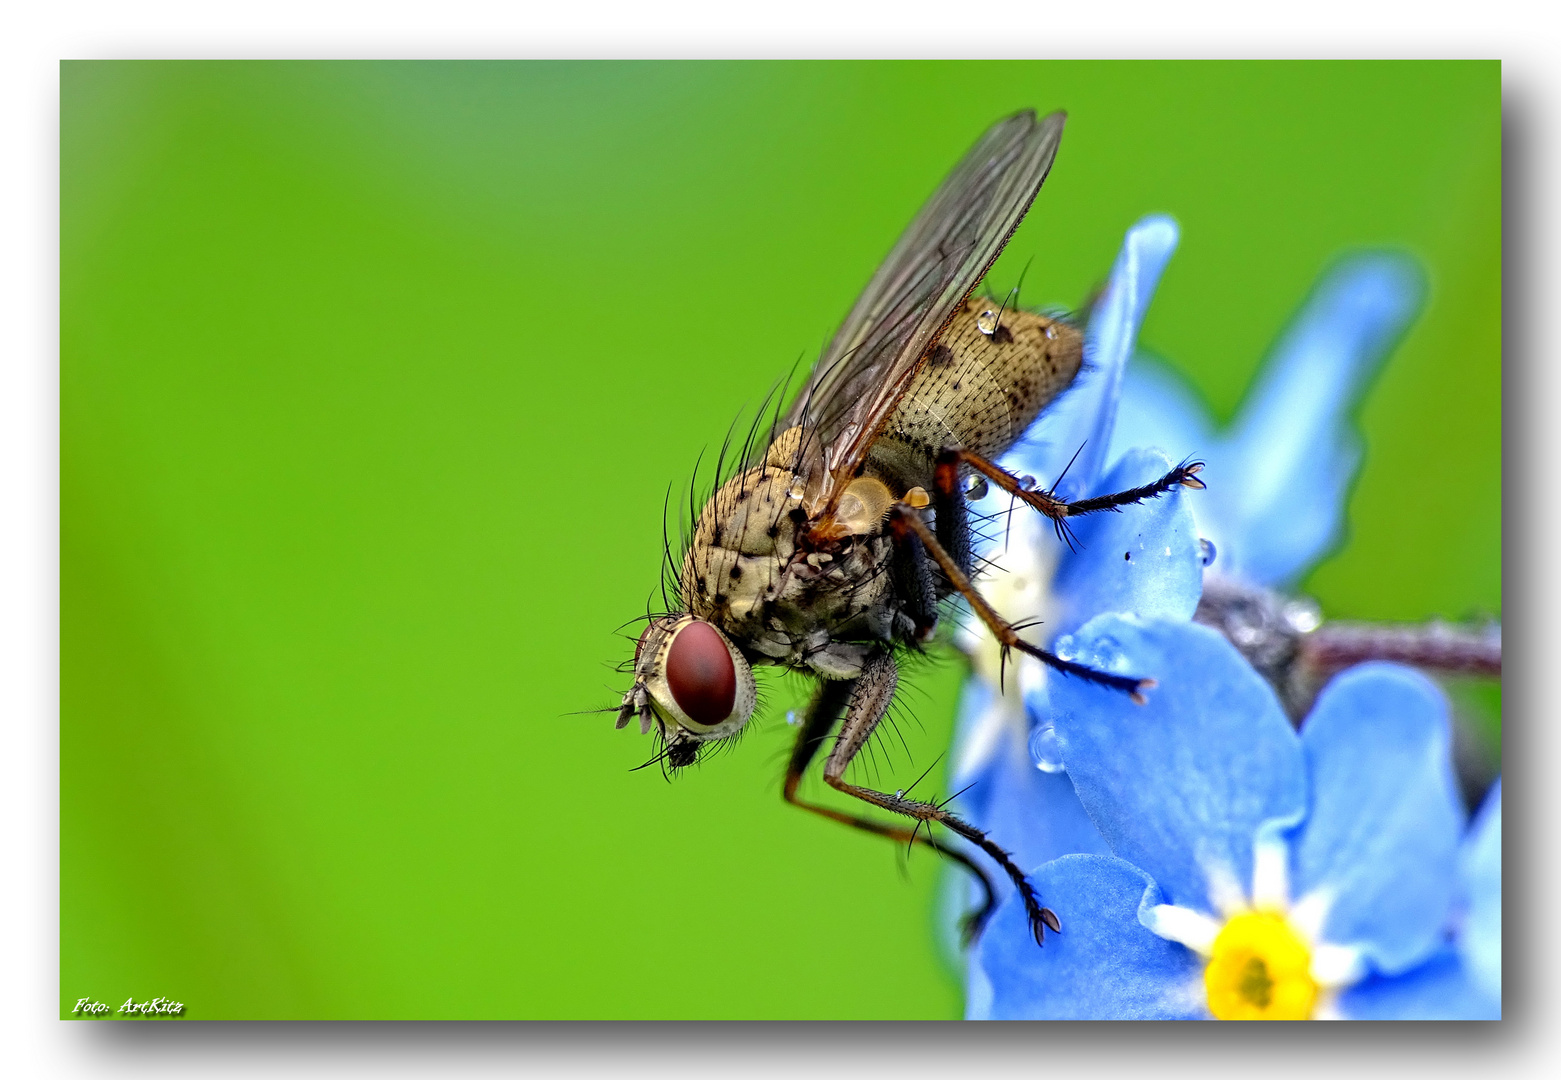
x=1104 y=965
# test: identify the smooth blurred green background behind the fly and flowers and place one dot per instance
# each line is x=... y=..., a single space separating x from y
x=374 y=377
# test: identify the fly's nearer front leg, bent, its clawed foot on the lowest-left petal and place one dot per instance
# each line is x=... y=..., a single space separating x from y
x=870 y=700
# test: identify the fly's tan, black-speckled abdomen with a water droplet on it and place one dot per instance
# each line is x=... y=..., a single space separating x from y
x=987 y=380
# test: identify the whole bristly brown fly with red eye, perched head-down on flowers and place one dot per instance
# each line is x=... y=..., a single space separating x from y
x=836 y=544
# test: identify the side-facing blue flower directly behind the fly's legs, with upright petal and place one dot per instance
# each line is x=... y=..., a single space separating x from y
x=1145 y=561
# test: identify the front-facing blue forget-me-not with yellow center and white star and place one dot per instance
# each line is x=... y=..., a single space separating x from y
x=1254 y=872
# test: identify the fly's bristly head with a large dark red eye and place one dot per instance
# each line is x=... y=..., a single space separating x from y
x=691 y=683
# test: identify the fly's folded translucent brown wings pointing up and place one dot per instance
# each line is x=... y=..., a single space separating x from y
x=911 y=300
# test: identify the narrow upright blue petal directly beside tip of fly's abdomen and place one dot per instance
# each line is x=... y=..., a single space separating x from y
x=1083 y=419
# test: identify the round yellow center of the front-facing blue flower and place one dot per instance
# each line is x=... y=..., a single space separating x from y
x=1261 y=972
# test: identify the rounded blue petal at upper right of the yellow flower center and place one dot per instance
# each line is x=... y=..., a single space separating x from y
x=1385 y=820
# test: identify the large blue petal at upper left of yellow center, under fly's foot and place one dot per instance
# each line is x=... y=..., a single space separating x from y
x=1181 y=786
